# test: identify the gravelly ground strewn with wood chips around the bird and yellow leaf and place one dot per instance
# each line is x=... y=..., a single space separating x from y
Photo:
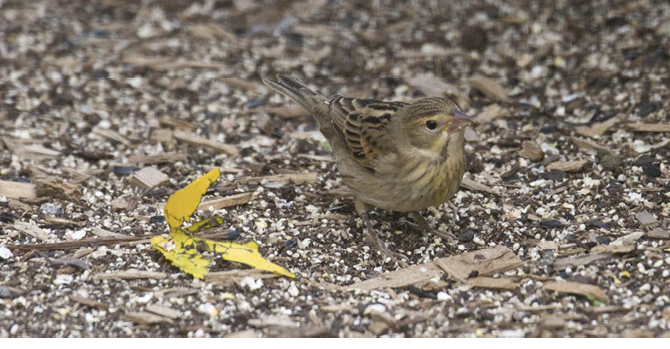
x=563 y=170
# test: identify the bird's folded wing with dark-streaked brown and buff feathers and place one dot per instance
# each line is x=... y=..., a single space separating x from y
x=362 y=124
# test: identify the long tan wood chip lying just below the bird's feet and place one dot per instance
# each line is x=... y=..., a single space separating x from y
x=477 y=263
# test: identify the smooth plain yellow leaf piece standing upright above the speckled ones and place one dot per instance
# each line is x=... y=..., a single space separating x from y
x=182 y=204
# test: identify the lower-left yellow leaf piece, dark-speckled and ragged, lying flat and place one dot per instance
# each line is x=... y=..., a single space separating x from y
x=179 y=248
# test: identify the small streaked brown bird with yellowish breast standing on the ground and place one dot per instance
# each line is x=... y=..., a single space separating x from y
x=393 y=155
